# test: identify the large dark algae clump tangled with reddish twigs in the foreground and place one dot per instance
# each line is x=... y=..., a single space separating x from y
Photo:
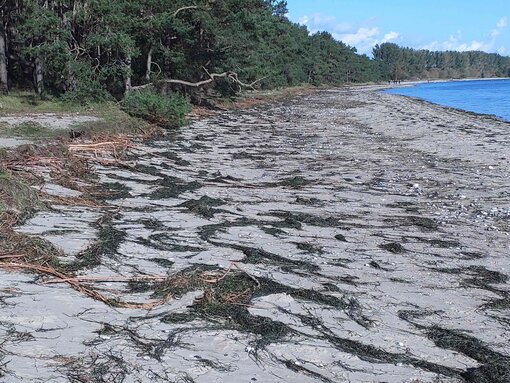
x=226 y=300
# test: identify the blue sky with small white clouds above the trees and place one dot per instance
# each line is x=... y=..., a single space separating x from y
x=429 y=24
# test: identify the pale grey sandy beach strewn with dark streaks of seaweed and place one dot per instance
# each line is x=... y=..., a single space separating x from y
x=370 y=235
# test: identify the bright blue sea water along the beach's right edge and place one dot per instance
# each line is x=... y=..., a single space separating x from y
x=480 y=96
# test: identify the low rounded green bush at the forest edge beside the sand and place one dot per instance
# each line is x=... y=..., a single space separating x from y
x=166 y=111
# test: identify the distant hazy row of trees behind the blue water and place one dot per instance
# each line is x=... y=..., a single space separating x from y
x=405 y=63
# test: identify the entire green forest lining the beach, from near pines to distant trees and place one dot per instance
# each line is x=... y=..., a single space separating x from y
x=90 y=50
